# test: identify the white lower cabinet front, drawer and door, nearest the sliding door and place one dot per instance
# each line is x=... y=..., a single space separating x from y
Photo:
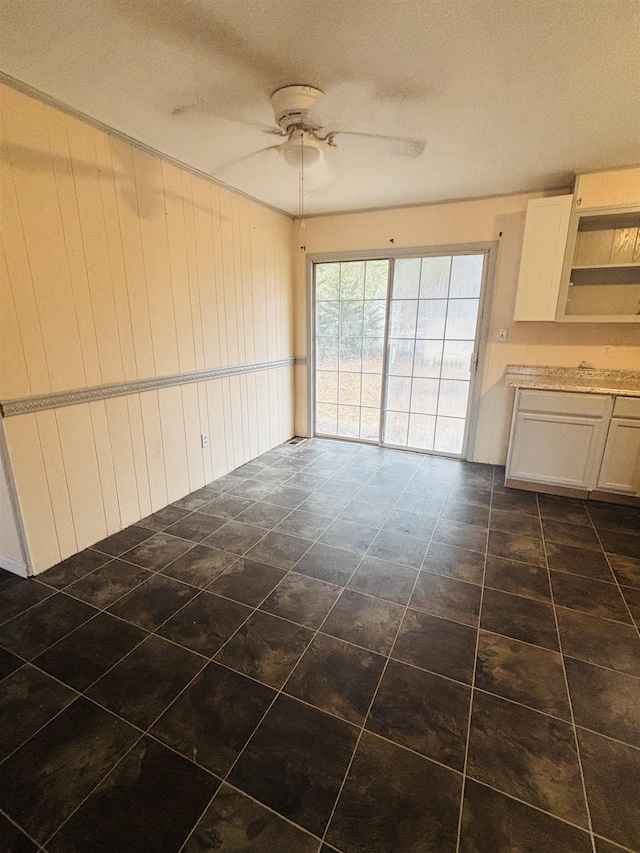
x=558 y=438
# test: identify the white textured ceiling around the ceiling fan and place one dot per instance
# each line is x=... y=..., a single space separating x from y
x=509 y=94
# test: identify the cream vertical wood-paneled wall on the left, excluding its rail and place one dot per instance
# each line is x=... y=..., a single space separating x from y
x=115 y=266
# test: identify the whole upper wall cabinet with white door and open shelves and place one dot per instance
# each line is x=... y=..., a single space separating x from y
x=581 y=253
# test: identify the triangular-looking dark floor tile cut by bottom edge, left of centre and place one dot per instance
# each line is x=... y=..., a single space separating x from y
x=236 y=823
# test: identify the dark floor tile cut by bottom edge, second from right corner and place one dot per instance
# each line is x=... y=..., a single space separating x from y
x=493 y=822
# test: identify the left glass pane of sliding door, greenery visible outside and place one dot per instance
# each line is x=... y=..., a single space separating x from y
x=351 y=316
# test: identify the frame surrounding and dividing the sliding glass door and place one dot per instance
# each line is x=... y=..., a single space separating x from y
x=489 y=249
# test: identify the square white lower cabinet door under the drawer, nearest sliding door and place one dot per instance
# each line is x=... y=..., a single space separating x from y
x=562 y=450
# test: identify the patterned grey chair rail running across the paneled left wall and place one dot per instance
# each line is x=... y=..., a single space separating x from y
x=26 y=405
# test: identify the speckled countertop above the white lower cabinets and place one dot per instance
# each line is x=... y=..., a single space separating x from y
x=586 y=380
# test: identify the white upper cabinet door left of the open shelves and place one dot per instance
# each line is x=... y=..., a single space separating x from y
x=543 y=249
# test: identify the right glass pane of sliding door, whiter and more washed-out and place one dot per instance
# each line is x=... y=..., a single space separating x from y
x=432 y=329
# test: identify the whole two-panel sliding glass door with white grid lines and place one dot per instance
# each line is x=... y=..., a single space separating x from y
x=397 y=371
